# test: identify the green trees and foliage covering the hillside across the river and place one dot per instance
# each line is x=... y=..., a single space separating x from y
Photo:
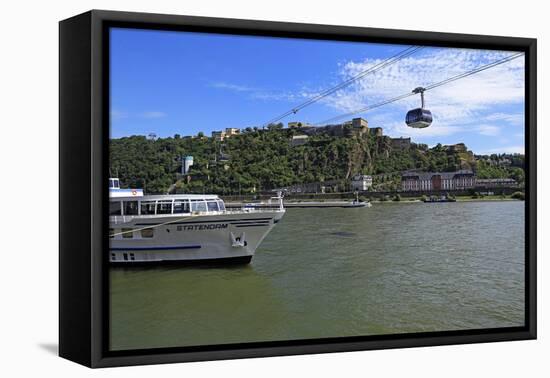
x=258 y=160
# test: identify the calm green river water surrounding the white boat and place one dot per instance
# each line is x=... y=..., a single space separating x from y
x=391 y=268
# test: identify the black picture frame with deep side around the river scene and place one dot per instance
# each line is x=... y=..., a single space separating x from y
x=83 y=195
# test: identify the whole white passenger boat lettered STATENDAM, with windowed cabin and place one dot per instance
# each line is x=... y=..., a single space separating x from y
x=183 y=228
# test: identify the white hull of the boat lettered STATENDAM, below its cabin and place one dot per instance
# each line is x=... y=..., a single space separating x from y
x=231 y=237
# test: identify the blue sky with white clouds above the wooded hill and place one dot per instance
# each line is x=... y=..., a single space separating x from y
x=181 y=83
